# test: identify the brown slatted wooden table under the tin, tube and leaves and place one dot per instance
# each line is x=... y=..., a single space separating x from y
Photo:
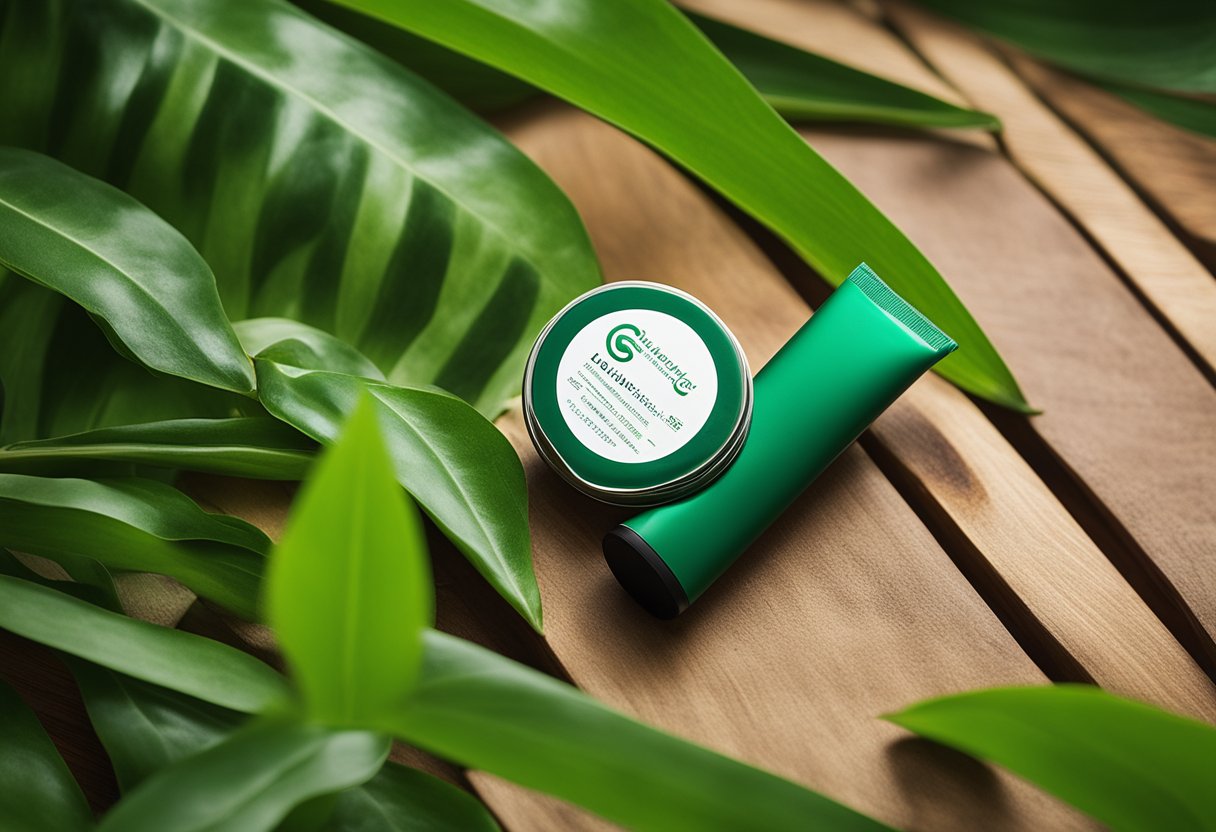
x=956 y=547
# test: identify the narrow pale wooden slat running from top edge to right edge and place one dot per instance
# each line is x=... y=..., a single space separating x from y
x=1162 y=269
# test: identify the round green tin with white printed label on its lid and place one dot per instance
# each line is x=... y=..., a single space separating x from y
x=637 y=393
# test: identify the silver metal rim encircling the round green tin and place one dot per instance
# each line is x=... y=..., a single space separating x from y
x=669 y=491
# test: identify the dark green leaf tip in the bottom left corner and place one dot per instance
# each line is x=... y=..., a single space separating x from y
x=40 y=794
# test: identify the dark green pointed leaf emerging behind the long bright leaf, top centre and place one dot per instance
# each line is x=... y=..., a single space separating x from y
x=804 y=87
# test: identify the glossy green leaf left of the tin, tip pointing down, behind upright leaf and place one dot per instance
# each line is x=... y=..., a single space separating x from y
x=460 y=469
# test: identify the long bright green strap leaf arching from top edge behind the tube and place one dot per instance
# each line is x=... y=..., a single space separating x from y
x=645 y=68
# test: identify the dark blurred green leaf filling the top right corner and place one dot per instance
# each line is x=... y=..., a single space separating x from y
x=1169 y=46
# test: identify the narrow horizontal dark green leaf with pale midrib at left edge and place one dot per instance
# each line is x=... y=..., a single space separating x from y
x=254 y=447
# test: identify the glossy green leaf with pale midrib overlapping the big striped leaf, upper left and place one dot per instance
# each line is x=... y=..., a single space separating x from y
x=131 y=269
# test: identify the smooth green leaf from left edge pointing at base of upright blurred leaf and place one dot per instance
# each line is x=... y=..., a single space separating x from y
x=173 y=659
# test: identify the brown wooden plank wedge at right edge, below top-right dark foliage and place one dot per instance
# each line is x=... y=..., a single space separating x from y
x=1174 y=167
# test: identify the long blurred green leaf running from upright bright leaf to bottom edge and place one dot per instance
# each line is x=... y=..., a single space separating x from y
x=486 y=712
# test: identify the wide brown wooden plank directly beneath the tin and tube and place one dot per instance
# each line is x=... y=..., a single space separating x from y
x=847 y=609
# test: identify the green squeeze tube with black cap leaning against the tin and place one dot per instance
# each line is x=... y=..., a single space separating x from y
x=853 y=359
